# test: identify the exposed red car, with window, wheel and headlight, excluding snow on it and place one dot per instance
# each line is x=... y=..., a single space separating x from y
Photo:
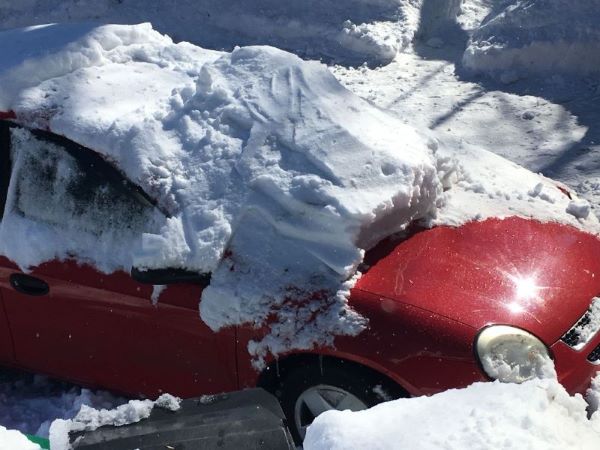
x=440 y=302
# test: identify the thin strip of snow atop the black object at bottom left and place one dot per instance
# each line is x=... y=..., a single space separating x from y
x=89 y=419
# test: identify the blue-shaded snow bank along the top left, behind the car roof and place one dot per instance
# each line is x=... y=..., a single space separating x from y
x=350 y=32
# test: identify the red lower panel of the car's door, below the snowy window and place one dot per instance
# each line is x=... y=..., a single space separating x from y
x=103 y=330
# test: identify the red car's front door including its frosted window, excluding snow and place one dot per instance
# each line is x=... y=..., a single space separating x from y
x=71 y=320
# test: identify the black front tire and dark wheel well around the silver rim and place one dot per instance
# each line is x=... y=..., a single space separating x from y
x=366 y=385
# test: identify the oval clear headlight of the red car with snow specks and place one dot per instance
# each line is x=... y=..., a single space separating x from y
x=512 y=355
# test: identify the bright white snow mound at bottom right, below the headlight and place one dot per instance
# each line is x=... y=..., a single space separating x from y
x=537 y=414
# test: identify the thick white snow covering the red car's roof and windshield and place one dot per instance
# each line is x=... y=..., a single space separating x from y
x=275 y=177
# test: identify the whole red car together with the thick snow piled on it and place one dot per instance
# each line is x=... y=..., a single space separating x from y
x=141 y=178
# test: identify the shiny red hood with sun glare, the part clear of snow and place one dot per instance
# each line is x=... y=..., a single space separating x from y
x=537 y=276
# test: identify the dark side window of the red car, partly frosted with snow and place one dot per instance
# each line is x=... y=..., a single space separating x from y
x=54 y=186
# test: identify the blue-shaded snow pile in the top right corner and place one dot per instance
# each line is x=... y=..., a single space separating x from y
x=537 y=36
